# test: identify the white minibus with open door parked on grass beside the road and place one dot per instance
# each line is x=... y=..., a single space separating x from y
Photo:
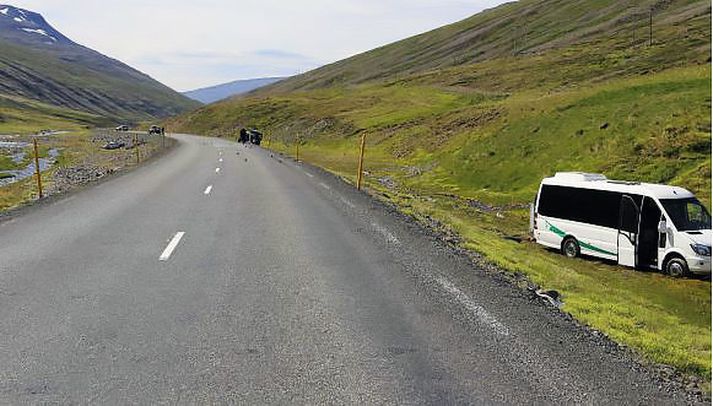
x=641 y=225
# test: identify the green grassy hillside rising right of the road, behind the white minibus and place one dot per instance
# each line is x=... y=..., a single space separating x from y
x=463 y=144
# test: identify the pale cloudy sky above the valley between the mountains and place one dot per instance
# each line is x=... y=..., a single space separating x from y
x=192 y=44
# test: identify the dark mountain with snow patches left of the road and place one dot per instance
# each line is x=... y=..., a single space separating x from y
x=37 y=62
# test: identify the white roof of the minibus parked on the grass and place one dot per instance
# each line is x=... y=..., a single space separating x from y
x=600 y=182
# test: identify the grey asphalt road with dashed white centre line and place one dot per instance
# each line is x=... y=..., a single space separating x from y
x=286 y=286
